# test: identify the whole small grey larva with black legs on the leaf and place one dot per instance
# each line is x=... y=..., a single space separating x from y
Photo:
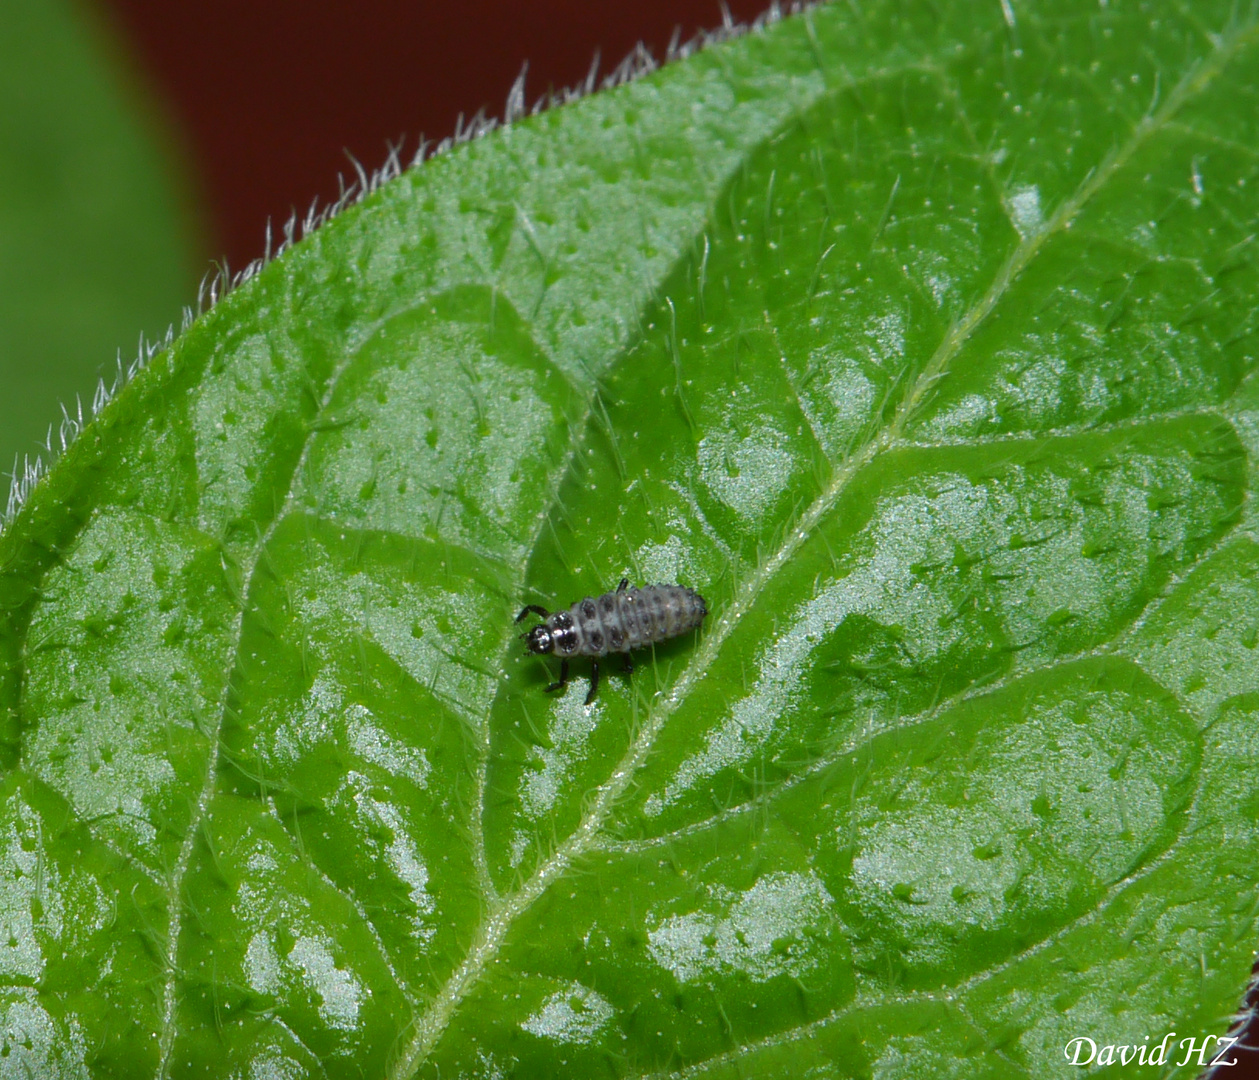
x=615 y=622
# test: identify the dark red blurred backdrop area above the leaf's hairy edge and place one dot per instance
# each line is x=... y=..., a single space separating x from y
x=270 y=95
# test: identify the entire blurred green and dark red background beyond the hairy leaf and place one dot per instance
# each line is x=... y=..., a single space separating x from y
x=143 y=140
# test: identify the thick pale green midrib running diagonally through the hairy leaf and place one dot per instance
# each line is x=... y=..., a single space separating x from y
x=494 y=930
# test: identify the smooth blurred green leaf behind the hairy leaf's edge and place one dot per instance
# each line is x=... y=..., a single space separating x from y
x=96 y=245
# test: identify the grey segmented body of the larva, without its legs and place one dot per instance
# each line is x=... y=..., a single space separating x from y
x=626 y=620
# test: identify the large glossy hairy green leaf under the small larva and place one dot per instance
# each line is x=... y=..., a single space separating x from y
x=921 y=342
